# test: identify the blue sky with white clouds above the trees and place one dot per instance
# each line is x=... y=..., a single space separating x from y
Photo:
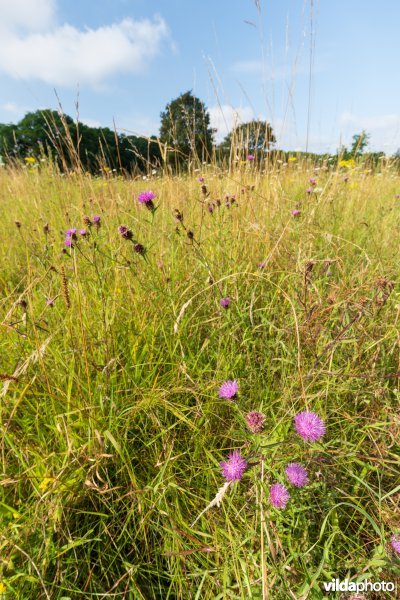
x=319 y=70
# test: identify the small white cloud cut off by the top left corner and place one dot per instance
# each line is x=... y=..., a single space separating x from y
x=30 y=15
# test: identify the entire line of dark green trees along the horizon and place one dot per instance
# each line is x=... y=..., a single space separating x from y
x=186 y=136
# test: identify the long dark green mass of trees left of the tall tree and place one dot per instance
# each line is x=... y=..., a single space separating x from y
x=47 y=133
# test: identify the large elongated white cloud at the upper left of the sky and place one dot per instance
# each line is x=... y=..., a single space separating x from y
x=67 y=56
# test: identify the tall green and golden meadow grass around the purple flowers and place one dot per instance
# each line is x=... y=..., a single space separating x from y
x=112 y=354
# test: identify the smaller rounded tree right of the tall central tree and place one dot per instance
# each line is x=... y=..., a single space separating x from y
x=254 y=137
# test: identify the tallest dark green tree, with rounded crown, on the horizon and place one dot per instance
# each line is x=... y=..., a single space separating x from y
x=185 y=127
